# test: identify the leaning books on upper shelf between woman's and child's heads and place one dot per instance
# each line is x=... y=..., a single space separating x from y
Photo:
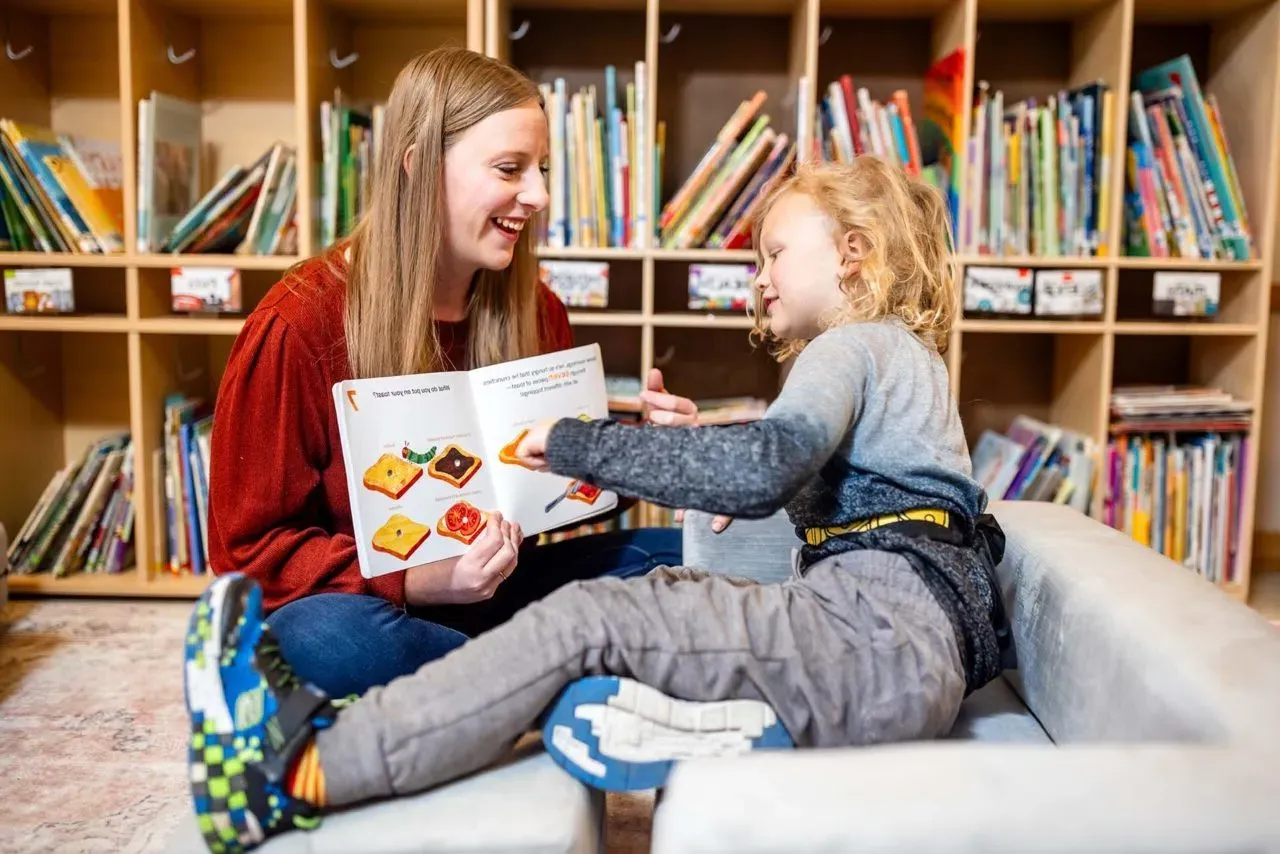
x=716 y=205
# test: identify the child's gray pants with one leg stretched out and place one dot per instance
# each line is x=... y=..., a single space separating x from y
x=856 y=652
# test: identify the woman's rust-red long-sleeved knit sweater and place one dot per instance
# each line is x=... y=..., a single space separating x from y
x=278 y=504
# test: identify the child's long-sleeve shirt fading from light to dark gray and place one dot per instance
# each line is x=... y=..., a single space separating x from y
x=865 y=426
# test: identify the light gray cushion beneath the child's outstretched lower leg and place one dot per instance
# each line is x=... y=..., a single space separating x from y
x=527 y=807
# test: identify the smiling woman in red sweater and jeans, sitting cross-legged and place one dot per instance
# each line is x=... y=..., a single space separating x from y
x=440 y=276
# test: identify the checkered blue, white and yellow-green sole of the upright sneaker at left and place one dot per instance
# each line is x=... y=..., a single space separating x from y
x=217 y=789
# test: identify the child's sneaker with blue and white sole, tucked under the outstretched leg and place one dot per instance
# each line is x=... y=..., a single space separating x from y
x=621 y=736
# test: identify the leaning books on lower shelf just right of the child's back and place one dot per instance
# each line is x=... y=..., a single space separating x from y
x=1037 y=462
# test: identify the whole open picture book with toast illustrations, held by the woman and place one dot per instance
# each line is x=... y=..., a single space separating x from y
x=431 y=456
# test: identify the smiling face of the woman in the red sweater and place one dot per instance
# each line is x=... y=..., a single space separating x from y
x=493 y=185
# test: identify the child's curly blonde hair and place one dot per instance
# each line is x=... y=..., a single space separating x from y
x=909 y=271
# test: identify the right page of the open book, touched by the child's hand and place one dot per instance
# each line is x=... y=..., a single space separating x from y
x=513 y=398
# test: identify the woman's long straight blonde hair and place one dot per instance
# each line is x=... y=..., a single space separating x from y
x=396 y=248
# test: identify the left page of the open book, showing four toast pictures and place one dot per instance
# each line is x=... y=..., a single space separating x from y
x=417 y=471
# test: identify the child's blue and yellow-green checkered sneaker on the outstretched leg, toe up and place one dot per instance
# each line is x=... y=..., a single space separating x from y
x=250 y=716
